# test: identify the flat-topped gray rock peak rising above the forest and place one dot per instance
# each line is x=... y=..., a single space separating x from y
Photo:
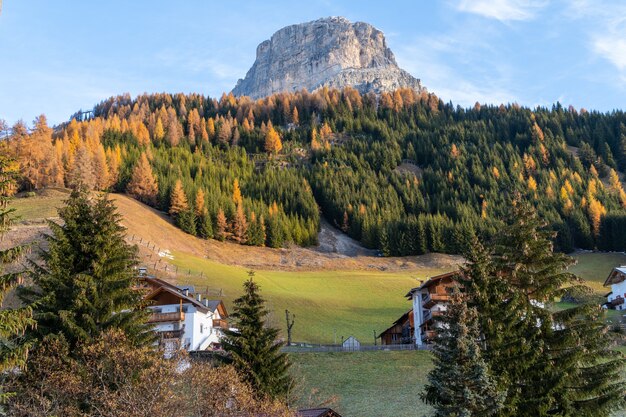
x=329 y=52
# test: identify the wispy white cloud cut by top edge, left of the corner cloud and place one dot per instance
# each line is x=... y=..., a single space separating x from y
x=502 y=10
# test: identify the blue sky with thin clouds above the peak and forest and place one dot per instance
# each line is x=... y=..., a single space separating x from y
x=60 y=56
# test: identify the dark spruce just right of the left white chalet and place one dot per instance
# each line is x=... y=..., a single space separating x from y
x=254 y=348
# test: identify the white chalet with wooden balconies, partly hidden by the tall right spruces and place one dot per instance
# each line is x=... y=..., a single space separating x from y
x=430 y=300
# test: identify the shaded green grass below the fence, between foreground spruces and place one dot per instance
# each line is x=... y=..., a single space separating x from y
x=366 y=384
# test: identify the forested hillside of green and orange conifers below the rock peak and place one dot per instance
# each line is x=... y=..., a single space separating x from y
x=403 y=172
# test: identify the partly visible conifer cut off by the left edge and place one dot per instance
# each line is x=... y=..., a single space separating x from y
x=13 y=322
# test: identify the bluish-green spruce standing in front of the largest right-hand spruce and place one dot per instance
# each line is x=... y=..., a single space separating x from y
x=461 y=384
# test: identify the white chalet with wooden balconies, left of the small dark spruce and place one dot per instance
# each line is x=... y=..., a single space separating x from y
x=183 y=319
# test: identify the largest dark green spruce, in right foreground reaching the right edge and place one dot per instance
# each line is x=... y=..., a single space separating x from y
x=548 y=363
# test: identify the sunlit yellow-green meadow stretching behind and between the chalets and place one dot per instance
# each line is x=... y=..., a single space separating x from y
x=325 y=303
